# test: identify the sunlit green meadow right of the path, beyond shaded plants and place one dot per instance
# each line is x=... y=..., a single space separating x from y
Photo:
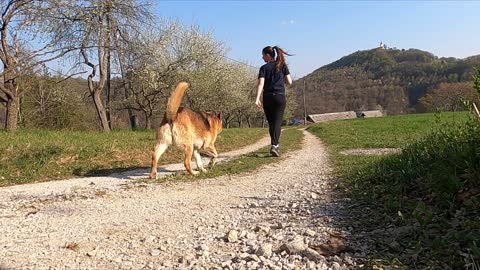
x=392 y=131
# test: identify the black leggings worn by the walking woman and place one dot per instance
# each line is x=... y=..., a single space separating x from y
x=274 y=107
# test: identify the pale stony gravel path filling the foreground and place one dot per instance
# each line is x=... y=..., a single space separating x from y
x=281 y=217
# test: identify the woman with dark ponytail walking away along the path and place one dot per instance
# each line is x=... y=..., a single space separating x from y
x=271 y=82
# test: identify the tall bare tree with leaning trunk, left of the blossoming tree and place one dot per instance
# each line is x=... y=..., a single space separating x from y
x=98 y=24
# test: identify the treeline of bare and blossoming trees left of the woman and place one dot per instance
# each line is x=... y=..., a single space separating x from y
x=130 y=61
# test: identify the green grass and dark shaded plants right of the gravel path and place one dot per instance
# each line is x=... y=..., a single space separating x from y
x=417 y=188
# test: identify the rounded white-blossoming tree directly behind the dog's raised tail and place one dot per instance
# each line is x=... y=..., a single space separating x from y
x=160 y=58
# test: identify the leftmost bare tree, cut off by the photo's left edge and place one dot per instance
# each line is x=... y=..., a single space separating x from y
x=28 y=40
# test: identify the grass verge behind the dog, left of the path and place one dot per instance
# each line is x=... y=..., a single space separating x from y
x=41 y=155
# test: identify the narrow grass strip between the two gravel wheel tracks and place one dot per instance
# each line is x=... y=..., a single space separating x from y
x=290 y=140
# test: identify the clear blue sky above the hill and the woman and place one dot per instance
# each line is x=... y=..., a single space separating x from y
x=320 y=32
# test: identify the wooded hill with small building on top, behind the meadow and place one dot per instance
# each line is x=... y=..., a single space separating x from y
x=396 y=81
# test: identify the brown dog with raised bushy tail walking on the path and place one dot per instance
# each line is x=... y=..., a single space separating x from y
x=189 y=130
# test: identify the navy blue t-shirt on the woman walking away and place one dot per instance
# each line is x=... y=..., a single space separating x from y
x=274 y=81
